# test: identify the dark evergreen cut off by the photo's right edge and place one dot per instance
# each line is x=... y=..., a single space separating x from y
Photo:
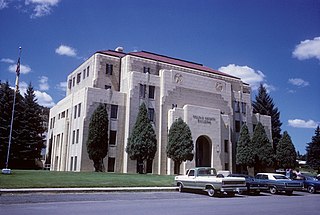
x=313 y=151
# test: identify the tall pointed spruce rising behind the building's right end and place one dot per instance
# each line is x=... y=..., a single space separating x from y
x=265 y=106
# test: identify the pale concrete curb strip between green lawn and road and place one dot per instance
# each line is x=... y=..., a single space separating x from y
x=86 y=189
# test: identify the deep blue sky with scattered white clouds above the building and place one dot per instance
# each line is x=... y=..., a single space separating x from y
x=274 y=42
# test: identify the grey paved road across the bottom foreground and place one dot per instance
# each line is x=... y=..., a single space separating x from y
x=157 y=203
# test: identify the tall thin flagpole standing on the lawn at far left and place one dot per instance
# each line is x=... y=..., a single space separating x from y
x=6 y=170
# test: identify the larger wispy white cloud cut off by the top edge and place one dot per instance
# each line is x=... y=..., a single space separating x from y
x=41 y=7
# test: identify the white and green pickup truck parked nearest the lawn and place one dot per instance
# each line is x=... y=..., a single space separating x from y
x=206 y=178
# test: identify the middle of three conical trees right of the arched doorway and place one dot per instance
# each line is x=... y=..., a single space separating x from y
x=262 y=149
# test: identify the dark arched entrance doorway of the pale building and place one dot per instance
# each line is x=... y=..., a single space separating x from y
x=203 y=151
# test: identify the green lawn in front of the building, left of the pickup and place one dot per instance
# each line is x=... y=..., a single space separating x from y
x=42 y=179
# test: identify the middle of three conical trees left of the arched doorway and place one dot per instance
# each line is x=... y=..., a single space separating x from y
x=142 y=142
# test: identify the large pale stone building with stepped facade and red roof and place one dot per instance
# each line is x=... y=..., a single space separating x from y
x=212 y=103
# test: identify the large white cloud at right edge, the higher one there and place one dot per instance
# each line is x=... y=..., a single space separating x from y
x=307 y=49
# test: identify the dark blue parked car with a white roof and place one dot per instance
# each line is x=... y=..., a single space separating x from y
x=278 y=183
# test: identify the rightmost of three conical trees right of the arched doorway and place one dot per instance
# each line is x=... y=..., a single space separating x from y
x=286 y=155
